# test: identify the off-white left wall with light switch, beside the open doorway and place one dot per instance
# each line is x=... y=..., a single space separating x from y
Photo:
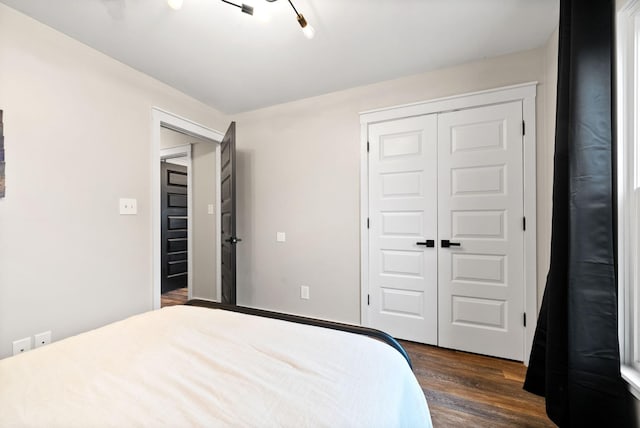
x=77 y=127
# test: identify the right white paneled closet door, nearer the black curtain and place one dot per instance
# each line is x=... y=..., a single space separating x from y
x=480 y=204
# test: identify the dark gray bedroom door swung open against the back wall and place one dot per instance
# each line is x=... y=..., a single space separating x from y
x=228 y=215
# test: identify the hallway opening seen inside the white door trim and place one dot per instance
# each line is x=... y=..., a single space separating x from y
x=188 y=224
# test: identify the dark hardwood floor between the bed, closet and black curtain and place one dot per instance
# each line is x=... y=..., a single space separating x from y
x=468 y=390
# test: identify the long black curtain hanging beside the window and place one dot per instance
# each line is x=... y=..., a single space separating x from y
x=575 y=361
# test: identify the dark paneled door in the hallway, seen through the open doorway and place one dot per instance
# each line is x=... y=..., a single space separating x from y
x=174 y=227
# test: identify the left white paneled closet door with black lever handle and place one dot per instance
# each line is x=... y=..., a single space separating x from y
x=403 y=215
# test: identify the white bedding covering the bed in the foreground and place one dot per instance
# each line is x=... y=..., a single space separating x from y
x=189 y=366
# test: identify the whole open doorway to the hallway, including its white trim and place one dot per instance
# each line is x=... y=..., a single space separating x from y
x=195 y=261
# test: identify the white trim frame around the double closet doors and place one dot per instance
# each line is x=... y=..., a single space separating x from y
x=526 y=93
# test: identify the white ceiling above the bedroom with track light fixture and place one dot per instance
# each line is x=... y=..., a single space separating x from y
x=235 y=62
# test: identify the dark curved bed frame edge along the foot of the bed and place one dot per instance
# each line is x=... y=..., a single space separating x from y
x=375 y=334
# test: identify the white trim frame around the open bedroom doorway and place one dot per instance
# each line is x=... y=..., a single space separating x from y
x=164 y=119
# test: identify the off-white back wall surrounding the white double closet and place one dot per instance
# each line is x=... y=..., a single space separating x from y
x=298 y=172
